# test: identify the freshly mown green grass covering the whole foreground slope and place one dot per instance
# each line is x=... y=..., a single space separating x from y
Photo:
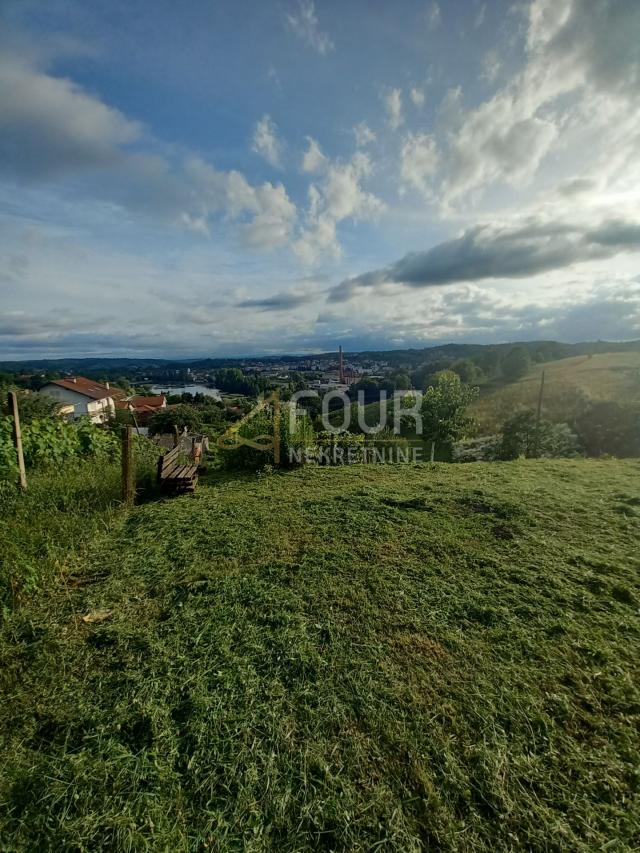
x=406 y=658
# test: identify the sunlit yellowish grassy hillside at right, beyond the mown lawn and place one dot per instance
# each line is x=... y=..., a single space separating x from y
x=568 y=382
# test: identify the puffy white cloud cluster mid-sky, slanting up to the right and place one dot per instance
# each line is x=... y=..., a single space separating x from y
x=340 y=196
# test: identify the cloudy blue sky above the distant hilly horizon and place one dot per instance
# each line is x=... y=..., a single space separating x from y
x=239 y=177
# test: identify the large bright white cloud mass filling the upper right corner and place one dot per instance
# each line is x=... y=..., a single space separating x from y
x=582 y=70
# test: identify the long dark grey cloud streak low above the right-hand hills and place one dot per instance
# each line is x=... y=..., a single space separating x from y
x=510 y=251
